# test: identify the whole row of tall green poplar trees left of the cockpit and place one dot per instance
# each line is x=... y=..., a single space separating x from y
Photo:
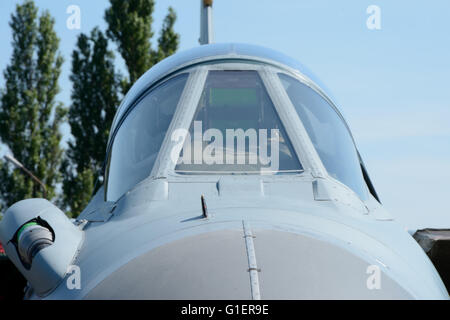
x=30 y=116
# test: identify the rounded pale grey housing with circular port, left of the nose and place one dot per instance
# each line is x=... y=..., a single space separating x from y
x=41 y=241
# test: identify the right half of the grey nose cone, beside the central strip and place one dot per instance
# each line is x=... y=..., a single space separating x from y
x=295 y=266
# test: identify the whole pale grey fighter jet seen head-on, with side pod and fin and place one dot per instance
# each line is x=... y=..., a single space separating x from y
x=230 y=174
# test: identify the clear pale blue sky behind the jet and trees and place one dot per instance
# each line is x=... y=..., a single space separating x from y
x=391 y=84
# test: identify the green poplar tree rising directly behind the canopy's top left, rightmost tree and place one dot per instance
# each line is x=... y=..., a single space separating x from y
x=130 y=27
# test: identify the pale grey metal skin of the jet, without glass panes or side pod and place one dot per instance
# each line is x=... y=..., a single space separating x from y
x=302 y=236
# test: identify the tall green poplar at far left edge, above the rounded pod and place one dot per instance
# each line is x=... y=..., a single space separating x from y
x=30 y=117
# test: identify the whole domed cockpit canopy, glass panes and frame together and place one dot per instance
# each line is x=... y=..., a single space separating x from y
x=229 y=114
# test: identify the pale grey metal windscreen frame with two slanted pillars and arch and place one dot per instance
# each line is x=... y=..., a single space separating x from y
x=184 y=113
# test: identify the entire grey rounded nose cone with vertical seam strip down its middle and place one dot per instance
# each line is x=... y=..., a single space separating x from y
x=241 y=264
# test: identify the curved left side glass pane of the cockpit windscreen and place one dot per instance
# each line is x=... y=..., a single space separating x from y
x=140 y=136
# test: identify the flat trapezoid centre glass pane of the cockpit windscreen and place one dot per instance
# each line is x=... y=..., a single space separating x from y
x=236 y=130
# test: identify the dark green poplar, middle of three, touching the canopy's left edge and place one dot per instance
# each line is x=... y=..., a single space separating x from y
x=95 y=96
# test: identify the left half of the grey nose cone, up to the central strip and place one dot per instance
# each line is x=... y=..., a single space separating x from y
x=205 y=266
